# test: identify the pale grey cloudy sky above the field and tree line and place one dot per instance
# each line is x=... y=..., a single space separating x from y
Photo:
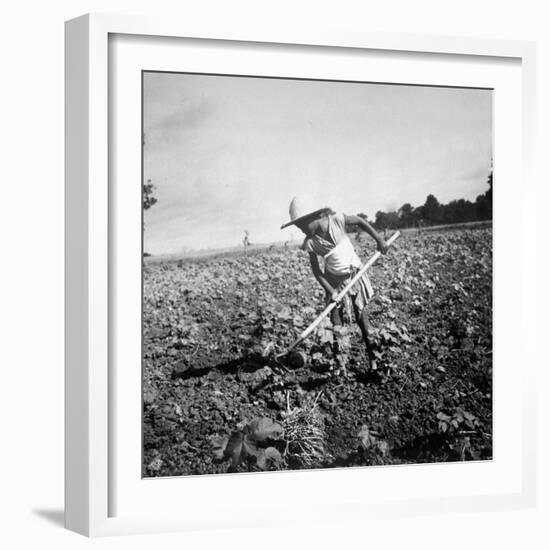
x=227 y=154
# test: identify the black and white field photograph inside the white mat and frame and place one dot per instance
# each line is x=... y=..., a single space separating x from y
x=317 y=274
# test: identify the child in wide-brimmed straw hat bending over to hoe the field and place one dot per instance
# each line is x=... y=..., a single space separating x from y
x=326 y=238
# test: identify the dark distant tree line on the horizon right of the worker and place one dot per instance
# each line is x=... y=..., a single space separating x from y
x=432 y=212
